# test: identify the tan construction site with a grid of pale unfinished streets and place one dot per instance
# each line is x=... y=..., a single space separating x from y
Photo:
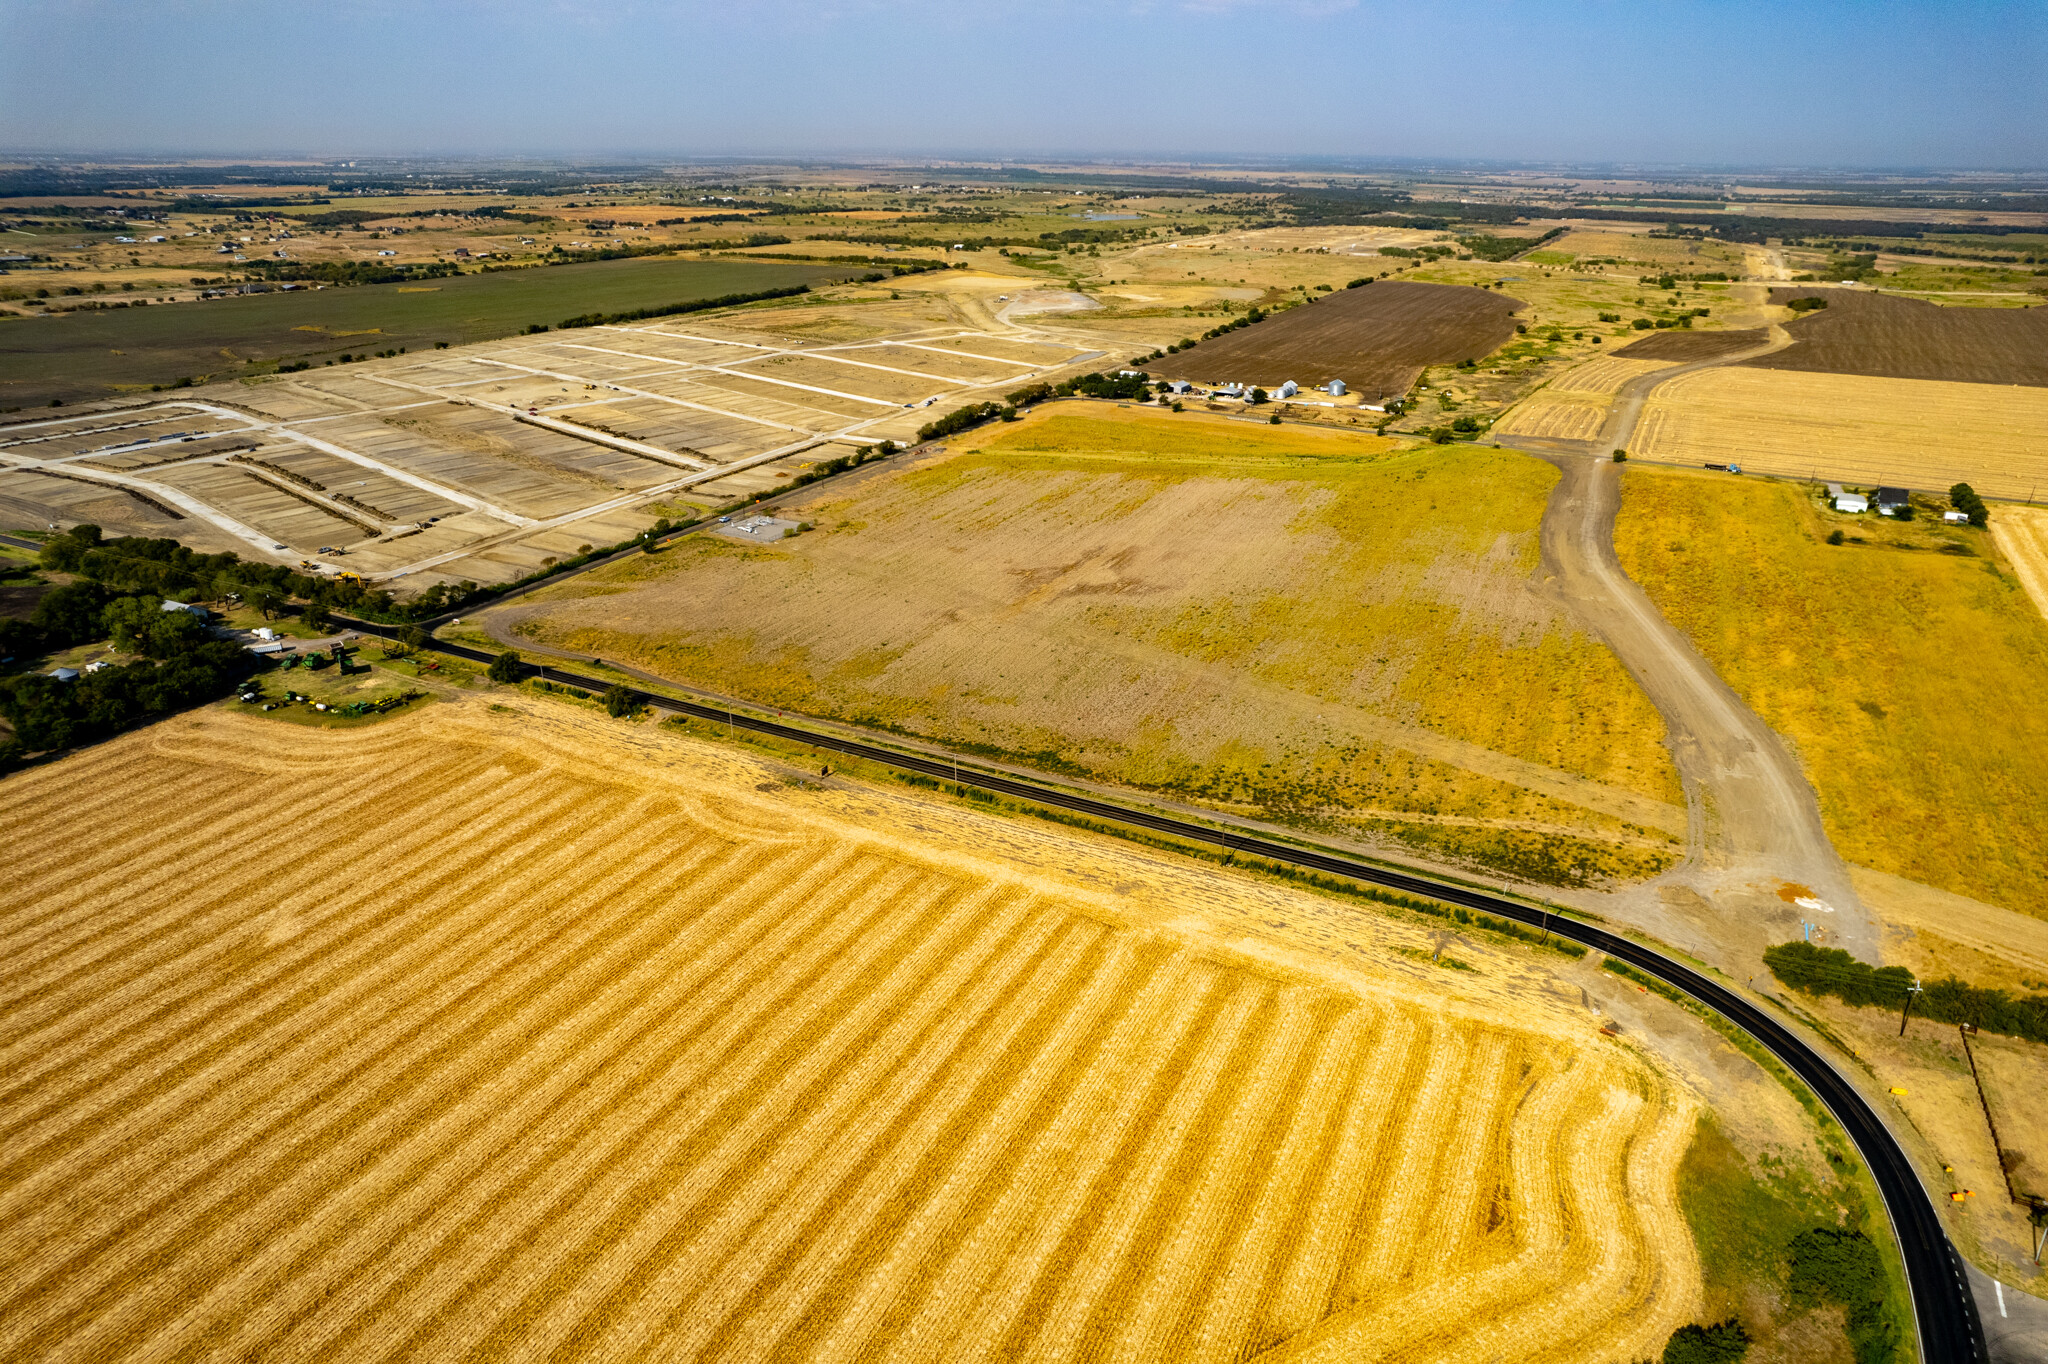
x=493 y=462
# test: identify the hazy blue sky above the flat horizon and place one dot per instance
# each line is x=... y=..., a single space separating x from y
x=1854 y=83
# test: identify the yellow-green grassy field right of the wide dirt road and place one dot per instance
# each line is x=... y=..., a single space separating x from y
x=1891 y=667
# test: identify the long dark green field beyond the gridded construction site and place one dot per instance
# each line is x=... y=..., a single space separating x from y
x=103 y=353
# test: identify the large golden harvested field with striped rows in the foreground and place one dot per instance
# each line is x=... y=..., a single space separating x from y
x=550 y=1037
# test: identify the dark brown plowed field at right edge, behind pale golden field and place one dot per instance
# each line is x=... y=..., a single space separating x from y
x=1910 y=339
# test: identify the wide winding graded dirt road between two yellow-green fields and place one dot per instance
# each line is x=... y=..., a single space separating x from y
x=1752 y=812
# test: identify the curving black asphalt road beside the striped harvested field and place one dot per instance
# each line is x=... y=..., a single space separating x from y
x=1938 y=1277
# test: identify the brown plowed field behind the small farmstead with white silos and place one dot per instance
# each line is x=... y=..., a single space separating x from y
x=1377 y=339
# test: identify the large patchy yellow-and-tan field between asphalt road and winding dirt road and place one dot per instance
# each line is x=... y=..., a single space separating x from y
x=1291 y=624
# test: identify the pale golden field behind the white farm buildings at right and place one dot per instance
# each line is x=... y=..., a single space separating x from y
x=1914 y=433
